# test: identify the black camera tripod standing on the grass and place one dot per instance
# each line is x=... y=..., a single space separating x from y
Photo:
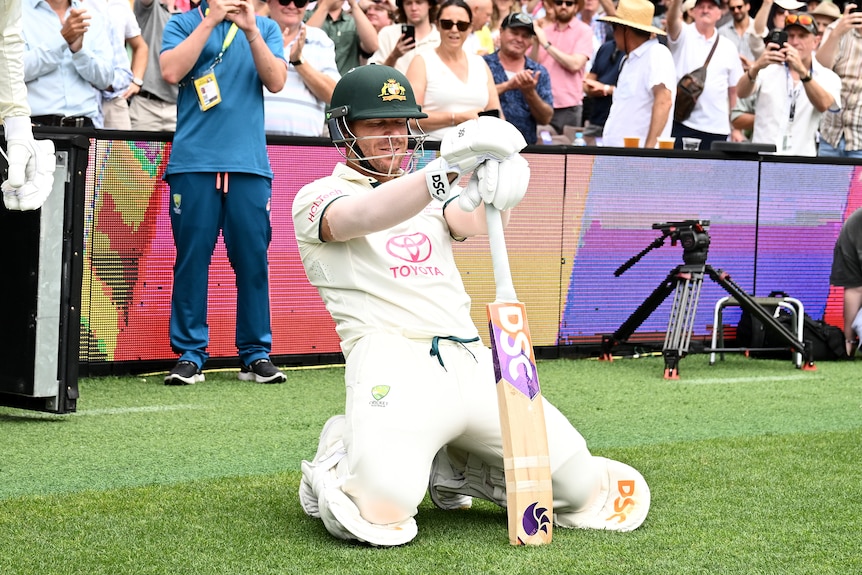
x=686 y=281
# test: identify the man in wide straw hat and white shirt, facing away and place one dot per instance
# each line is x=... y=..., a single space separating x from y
x=646 y=88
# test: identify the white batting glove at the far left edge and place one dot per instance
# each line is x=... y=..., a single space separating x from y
x=38 y=173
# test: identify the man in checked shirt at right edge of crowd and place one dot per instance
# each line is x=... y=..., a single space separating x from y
x=841 y=51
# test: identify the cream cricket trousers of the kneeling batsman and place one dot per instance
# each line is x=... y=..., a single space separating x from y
x=402 y=406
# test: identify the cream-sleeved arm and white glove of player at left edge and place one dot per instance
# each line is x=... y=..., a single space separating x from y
x=31 y=163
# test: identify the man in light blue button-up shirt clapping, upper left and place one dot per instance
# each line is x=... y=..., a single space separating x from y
x=68 y=58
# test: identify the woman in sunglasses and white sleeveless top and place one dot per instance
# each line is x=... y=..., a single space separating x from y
x=451 y=85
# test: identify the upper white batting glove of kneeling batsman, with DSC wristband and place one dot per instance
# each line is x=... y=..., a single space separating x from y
x=472 y=142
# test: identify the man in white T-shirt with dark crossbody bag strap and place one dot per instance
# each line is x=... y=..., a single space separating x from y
x=690 y=45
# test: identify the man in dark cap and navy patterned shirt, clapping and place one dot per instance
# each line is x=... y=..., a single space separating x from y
x=523 y=84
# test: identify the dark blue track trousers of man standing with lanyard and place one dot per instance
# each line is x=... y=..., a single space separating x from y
x=238 y=206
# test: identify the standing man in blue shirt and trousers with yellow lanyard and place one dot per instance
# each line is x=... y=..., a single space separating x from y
x=222 y=56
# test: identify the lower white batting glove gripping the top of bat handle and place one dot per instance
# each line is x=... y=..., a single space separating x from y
x=501 y=184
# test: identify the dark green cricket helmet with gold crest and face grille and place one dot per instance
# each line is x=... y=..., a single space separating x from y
x=372 y=92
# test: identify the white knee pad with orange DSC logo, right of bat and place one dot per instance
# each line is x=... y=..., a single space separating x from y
x=621 y=502
